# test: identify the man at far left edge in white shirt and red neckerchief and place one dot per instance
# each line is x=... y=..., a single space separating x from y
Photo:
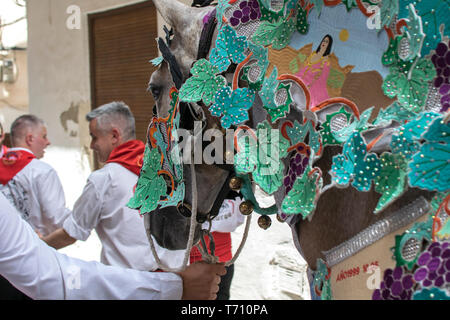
x=31 y=185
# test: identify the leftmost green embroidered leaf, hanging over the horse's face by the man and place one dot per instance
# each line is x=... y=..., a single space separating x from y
x=150 y=186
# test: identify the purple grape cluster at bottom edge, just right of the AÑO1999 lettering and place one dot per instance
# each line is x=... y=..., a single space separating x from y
x=396 y=285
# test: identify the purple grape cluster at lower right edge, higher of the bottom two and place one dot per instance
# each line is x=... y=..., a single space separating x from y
x=434 y=266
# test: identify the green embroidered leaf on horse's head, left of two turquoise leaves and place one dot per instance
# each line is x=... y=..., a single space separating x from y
x=203 y=84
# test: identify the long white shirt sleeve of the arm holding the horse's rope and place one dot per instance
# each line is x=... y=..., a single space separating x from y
x=41 y=272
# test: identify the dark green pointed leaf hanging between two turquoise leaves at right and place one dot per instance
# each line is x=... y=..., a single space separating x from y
x=391 y=181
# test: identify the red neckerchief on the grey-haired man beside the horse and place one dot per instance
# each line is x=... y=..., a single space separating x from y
x=129 y=155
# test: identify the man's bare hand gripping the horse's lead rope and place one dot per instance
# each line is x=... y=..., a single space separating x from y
x=201 y=280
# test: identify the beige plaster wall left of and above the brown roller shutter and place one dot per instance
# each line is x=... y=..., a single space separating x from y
x=59 y=78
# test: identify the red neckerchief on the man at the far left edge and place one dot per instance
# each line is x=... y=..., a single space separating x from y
x=12 y=163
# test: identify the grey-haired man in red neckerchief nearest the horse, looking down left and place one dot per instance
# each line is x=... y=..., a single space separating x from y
x=102 y=205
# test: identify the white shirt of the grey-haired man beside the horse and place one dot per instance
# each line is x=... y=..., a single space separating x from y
x=102 y=206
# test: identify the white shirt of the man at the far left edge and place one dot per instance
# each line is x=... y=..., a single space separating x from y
x=38 y=195
